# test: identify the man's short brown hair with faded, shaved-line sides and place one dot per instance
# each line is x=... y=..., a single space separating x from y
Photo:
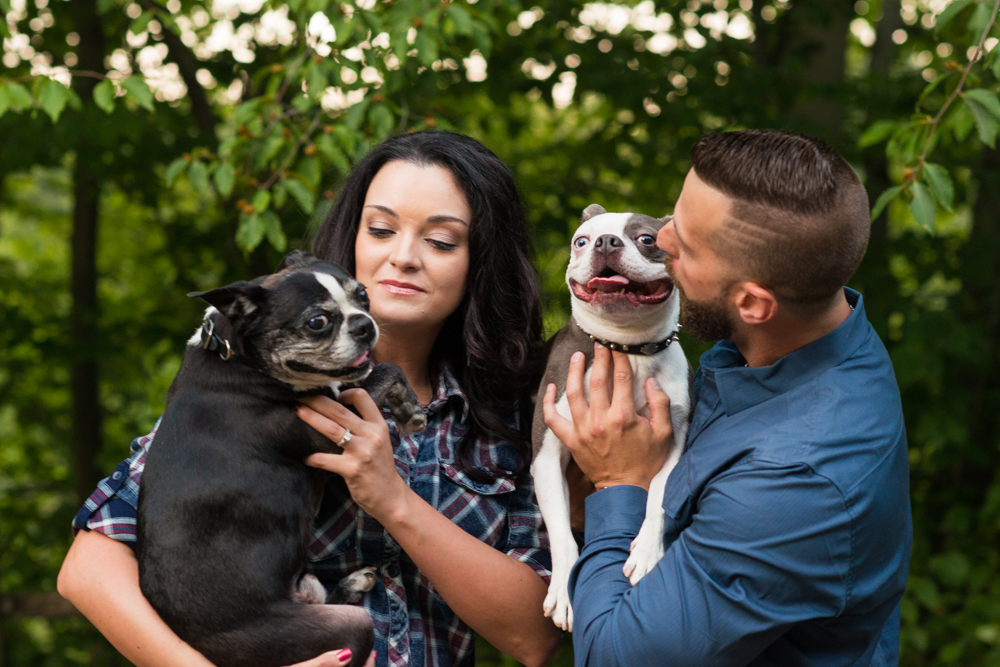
x=799 y=221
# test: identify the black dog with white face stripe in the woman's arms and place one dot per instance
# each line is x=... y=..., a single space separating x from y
x=226 y=502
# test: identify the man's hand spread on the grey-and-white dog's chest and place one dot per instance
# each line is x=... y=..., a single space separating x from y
x=610 y=442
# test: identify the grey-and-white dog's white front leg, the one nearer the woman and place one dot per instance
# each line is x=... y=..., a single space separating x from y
x=549 y=472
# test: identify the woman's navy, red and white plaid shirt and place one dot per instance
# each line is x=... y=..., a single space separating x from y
x=413 y=624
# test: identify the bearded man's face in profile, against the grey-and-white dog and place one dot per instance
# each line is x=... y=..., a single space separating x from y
x=701 y=276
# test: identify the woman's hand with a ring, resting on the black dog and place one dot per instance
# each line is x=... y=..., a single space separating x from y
x=367 y=464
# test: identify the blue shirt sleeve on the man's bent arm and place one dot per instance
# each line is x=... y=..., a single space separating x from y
x=767 y=547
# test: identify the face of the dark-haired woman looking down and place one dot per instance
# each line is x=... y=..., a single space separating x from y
x=412 y=249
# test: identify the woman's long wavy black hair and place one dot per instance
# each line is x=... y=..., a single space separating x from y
x=491 y=340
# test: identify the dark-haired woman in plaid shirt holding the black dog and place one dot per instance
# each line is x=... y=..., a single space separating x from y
x=432 y=224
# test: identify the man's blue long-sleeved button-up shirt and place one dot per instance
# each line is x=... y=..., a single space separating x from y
x=788 y=526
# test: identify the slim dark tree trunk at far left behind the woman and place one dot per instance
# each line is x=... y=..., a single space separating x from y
x=84 y=373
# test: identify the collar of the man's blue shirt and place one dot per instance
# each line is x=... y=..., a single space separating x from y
x=742 y=387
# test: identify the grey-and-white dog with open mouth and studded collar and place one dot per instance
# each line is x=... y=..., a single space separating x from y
x=623 y=299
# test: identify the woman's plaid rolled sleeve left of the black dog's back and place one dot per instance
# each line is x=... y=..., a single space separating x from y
x=113 y=506
